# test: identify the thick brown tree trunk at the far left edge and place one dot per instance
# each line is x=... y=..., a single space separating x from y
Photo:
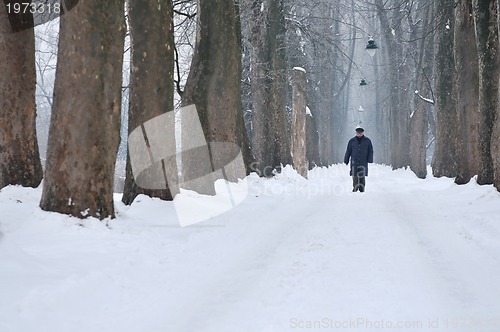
x=19 y=156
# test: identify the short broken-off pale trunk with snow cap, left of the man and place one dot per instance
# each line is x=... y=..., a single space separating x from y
x=299 y=104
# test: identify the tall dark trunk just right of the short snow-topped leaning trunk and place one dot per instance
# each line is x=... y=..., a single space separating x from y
x=444 y=161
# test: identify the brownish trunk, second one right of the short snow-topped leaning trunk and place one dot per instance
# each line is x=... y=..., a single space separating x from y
x=467 y=83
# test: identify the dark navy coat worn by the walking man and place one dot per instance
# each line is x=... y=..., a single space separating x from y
x=360 y=151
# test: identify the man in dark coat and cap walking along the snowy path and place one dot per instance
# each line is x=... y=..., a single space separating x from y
x=360 y=151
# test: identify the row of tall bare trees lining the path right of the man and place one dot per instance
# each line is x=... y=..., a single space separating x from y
x=448 y=53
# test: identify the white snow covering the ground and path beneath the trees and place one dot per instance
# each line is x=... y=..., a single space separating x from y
x=296 y=254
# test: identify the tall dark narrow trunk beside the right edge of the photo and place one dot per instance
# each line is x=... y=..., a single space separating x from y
x=486 y=27
